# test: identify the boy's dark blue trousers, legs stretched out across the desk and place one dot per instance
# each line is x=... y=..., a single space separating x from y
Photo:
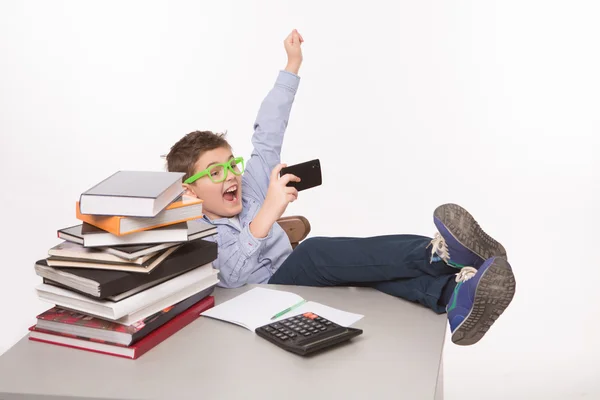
x=398 y=265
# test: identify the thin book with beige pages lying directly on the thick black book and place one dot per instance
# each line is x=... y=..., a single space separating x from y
x=145 y=268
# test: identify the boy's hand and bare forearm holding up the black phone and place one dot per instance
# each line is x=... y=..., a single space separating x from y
x=279 y=195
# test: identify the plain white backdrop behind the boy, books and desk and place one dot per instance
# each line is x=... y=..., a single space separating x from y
x=408 y=104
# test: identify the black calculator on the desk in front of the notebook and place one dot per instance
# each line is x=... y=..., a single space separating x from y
x=306 y=333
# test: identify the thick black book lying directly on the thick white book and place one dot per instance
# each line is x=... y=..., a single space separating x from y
x=102 y=284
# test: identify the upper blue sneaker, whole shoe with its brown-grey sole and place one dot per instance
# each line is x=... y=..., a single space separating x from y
x=461 y=242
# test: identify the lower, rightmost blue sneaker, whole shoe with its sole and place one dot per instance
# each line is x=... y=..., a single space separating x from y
x=479 y=298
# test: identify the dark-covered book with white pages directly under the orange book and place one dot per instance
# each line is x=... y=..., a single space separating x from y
x=91 y=236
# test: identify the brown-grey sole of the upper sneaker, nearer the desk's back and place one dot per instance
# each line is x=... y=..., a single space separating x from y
x=465 y=229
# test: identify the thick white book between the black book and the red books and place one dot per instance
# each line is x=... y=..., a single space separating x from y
x=138 y=306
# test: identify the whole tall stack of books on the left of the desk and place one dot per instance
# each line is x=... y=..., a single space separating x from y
x=135 y=271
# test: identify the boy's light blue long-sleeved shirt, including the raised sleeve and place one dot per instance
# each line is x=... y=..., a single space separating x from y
x=242 y=258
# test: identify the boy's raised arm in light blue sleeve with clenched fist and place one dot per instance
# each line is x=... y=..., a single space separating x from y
x=271 y=122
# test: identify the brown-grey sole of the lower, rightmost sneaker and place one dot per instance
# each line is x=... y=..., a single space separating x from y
x=494 y=292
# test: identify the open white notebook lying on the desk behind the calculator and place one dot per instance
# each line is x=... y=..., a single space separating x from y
x=255 y=308
